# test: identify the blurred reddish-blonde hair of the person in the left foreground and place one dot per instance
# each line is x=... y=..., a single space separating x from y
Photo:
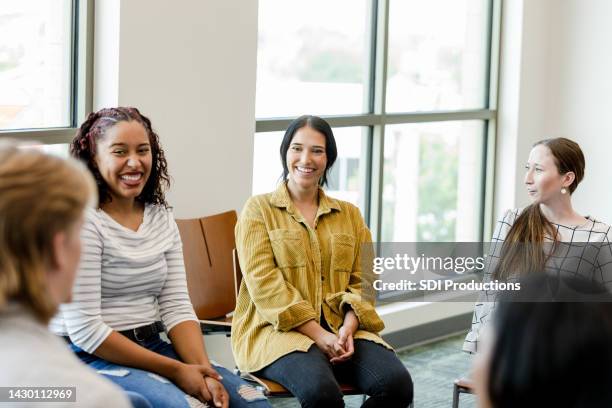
x=40 y=196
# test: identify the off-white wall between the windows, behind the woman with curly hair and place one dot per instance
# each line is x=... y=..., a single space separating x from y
x=190 y=67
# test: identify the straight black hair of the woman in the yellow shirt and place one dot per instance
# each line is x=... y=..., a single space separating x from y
x=321 y=126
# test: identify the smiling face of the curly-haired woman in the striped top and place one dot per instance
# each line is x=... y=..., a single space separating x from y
x=123 y=158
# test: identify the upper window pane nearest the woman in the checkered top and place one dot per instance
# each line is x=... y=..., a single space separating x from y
x=438 y=51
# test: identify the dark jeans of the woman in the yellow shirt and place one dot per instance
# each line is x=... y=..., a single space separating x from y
x=373 y=369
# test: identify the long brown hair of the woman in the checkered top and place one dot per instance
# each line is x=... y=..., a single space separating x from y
x=522 y=251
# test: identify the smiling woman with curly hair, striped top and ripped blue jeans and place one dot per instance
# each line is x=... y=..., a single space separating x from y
x=132 y=275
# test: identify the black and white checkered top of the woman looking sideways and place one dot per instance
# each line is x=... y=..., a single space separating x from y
x=584 y=250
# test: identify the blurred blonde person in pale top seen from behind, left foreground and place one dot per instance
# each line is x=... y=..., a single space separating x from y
x=42 y=200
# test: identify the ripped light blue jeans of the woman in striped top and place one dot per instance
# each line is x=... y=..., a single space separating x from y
x=146 y=389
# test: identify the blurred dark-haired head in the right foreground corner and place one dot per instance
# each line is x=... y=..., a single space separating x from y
x=544 y=348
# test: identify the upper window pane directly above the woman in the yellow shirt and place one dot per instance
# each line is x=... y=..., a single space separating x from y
x=312 y=57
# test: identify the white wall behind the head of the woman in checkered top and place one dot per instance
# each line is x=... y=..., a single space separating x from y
x=555 y=81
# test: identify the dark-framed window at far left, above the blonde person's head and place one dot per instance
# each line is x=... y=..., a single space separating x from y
x=44 y=69
